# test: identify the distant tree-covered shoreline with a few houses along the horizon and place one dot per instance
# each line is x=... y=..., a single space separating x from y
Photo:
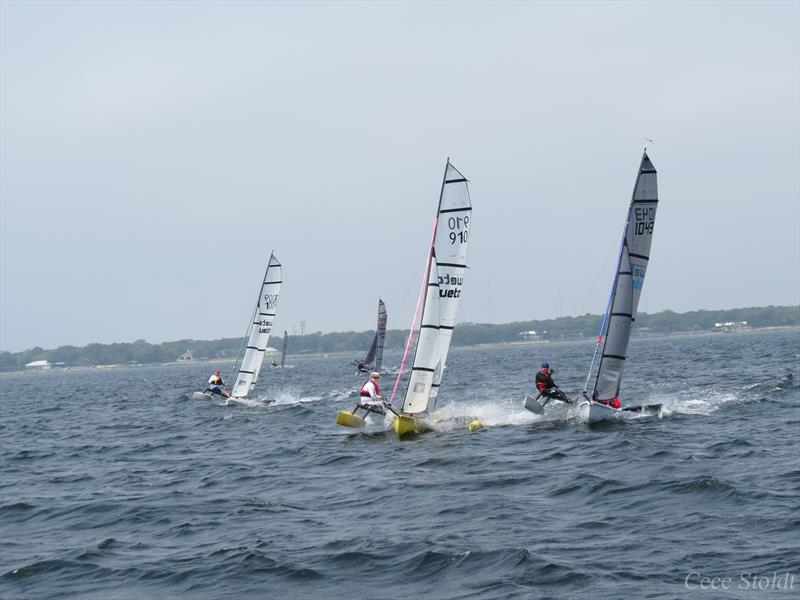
x=465 y=334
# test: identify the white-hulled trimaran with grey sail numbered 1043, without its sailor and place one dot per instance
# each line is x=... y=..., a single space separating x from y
x=615 y=331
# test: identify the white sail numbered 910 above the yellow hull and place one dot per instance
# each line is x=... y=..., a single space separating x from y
x=446 y=266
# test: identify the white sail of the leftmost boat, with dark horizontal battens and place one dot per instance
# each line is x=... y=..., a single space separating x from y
x=259 y=330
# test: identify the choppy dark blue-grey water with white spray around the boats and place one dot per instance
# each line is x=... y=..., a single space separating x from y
x=115 y=484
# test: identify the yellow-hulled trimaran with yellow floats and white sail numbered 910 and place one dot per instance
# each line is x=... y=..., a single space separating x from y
x=445 y=265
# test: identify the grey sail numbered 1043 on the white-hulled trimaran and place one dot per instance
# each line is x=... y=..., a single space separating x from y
x=631 y=267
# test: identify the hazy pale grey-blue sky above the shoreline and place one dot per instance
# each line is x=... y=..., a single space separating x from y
x=153 y=153
